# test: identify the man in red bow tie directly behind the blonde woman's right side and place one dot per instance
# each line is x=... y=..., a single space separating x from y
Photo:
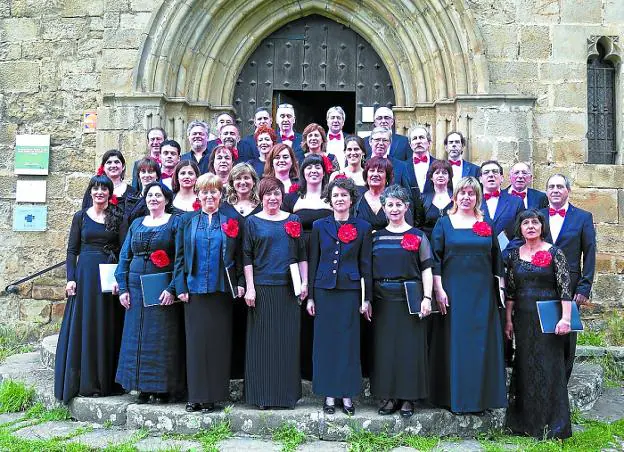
x=499 y=207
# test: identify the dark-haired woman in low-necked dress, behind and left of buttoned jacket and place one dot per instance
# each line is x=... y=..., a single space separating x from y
x=309 y=205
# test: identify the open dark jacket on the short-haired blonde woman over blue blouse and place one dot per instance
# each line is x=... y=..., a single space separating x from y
x=185 y=250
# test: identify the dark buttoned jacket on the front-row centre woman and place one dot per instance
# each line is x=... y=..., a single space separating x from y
x=334 y=264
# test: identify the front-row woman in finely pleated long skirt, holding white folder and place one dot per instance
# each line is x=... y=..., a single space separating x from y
x=271 y=243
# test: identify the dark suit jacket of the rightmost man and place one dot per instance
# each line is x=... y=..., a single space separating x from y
x=577 y=240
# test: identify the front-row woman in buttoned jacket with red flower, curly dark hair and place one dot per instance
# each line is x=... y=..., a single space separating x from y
x=340 y=256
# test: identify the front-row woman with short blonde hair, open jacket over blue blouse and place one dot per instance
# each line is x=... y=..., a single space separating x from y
x=207 y=248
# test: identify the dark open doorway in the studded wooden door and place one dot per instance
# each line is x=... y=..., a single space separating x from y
x=312 y=106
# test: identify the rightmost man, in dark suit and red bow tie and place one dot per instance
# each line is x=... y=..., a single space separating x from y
x=572 y=230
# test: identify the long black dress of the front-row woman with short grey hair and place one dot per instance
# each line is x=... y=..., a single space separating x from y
x=400 y=369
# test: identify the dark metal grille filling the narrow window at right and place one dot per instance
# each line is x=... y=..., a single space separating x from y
x=601 y=108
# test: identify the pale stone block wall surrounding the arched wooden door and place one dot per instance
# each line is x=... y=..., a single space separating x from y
x=63 y=57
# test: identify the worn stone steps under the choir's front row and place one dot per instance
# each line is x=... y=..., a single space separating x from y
x=36 y=369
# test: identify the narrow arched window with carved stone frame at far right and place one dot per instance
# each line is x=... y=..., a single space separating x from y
x=602 y=60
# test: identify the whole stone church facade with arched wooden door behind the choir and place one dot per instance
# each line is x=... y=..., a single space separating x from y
x=518 y=77
